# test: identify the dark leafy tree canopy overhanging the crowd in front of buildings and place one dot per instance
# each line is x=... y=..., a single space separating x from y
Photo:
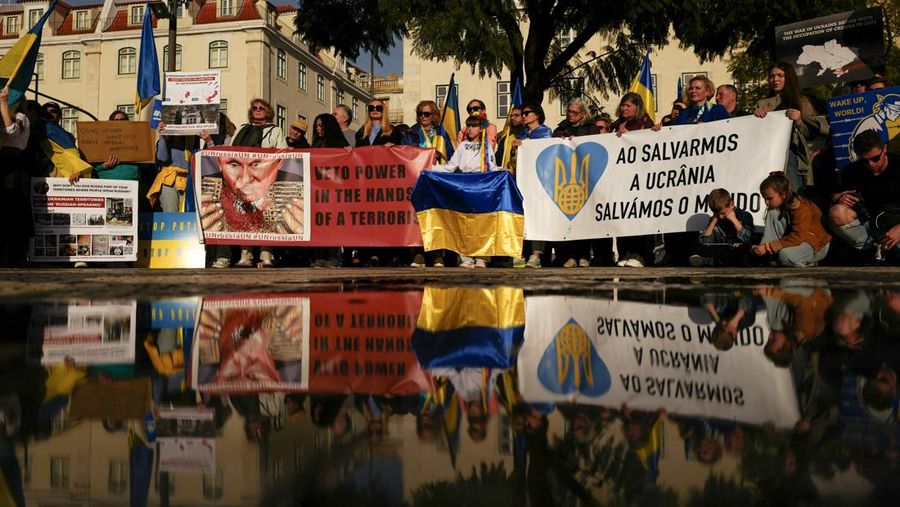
x=524 y=36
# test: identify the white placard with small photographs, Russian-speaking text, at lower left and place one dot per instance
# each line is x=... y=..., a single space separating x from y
x=91 y=220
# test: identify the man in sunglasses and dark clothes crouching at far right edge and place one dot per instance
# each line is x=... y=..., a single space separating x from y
x=866 y=212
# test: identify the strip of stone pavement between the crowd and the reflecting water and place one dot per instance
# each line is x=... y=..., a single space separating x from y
x=111 y=283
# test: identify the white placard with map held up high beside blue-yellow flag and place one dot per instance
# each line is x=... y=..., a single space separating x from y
x=191 y=103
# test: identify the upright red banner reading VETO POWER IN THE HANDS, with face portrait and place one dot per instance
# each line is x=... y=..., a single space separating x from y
x=310 y=197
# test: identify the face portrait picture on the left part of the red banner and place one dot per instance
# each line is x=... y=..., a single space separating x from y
x=253 y=196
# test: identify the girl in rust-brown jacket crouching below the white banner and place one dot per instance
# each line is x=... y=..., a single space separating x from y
x=793 y=231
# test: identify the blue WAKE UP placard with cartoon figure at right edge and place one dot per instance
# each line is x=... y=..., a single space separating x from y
x=877 y=110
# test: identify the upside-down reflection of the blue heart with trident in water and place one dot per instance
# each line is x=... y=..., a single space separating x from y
x=571 y=364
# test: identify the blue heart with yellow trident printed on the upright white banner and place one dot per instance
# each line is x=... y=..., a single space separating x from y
x=569 y=176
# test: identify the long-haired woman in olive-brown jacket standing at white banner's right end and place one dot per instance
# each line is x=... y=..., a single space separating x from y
x=808 y=123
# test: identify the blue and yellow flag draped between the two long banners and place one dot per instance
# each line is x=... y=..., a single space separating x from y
x=470 y=213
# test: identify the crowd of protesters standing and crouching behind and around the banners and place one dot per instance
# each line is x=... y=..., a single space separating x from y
x=816 y=214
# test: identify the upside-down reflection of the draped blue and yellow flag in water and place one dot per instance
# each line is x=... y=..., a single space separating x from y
x=469 y=328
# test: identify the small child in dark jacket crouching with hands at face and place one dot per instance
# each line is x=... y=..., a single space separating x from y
x=728 y=235
